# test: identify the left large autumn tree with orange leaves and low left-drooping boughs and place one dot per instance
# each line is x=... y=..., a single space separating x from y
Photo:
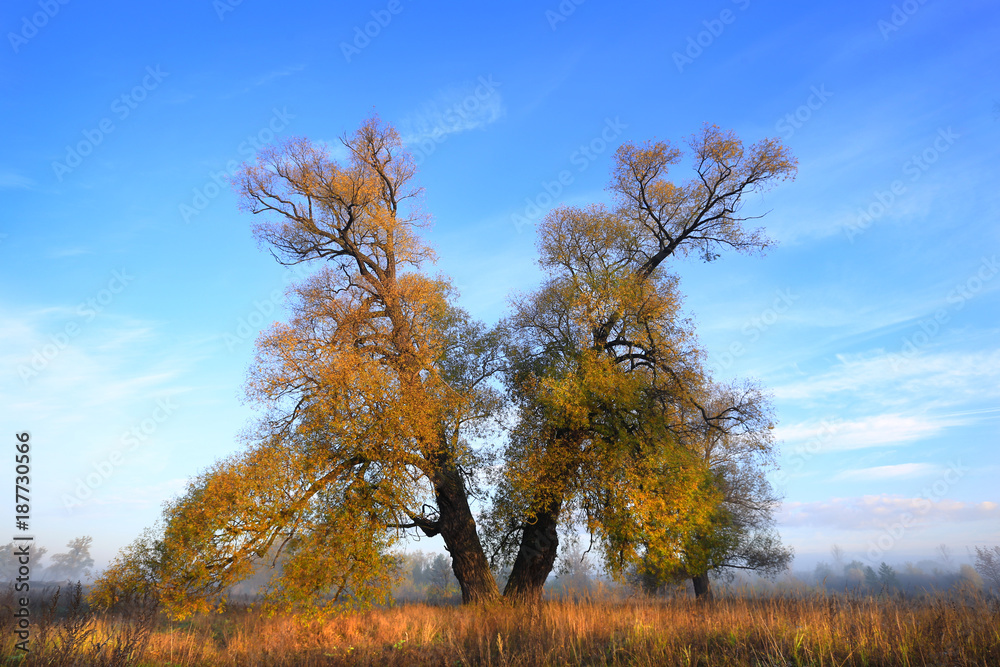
x=370 y=391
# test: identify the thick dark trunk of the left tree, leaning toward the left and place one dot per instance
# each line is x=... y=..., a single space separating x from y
x=458 y=528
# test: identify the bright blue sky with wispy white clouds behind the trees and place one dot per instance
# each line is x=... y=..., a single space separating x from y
x=132 y=288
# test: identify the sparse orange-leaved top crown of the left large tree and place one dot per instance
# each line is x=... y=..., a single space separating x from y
x=364 y=211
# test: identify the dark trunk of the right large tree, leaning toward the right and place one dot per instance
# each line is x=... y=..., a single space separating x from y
x=535 y=557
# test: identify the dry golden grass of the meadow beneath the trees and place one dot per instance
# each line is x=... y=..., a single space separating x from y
x=771 y=631
